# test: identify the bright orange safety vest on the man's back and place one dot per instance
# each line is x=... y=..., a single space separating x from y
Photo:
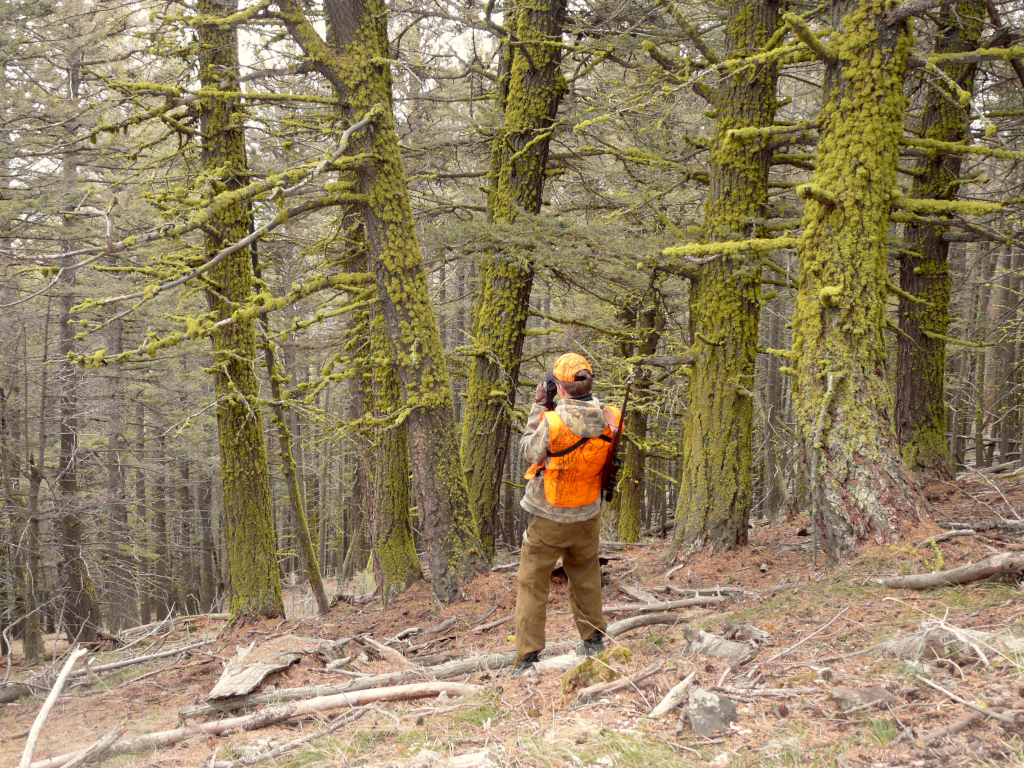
x=575 y=466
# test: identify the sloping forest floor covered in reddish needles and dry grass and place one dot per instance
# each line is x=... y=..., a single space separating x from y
x=789 y=714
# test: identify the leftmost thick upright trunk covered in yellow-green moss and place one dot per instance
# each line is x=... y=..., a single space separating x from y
x=245 y=472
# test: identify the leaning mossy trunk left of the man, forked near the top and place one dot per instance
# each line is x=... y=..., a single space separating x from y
x=358 y=67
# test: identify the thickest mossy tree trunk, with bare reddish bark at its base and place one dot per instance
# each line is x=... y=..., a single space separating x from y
x=844 y=407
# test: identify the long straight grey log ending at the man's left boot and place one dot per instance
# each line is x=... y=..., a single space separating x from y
x=441 y=672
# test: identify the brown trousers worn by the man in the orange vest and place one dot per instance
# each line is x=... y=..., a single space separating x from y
x=543 y=543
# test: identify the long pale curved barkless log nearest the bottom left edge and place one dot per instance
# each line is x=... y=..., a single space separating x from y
x=271 y=716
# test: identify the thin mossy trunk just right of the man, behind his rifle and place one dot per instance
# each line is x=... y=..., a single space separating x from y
x=629 y=519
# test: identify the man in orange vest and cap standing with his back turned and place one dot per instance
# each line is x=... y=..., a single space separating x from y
x=568 y=448
